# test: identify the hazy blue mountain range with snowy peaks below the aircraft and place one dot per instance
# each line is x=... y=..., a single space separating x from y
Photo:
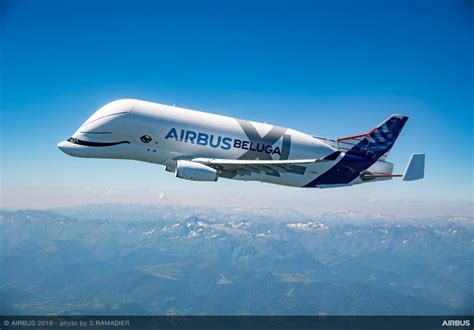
x=142 y=259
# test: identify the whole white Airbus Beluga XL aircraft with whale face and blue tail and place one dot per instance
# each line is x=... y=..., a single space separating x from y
x=204 y=147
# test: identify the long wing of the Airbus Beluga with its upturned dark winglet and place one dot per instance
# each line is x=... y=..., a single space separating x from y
x=243 y=166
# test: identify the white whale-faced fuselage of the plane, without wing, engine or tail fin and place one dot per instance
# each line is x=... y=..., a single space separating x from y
x=161 y=134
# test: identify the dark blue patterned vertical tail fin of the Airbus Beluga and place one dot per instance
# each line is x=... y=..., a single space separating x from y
x=378 y=141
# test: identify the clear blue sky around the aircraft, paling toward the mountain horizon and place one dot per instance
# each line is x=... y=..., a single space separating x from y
x=329 y=68
